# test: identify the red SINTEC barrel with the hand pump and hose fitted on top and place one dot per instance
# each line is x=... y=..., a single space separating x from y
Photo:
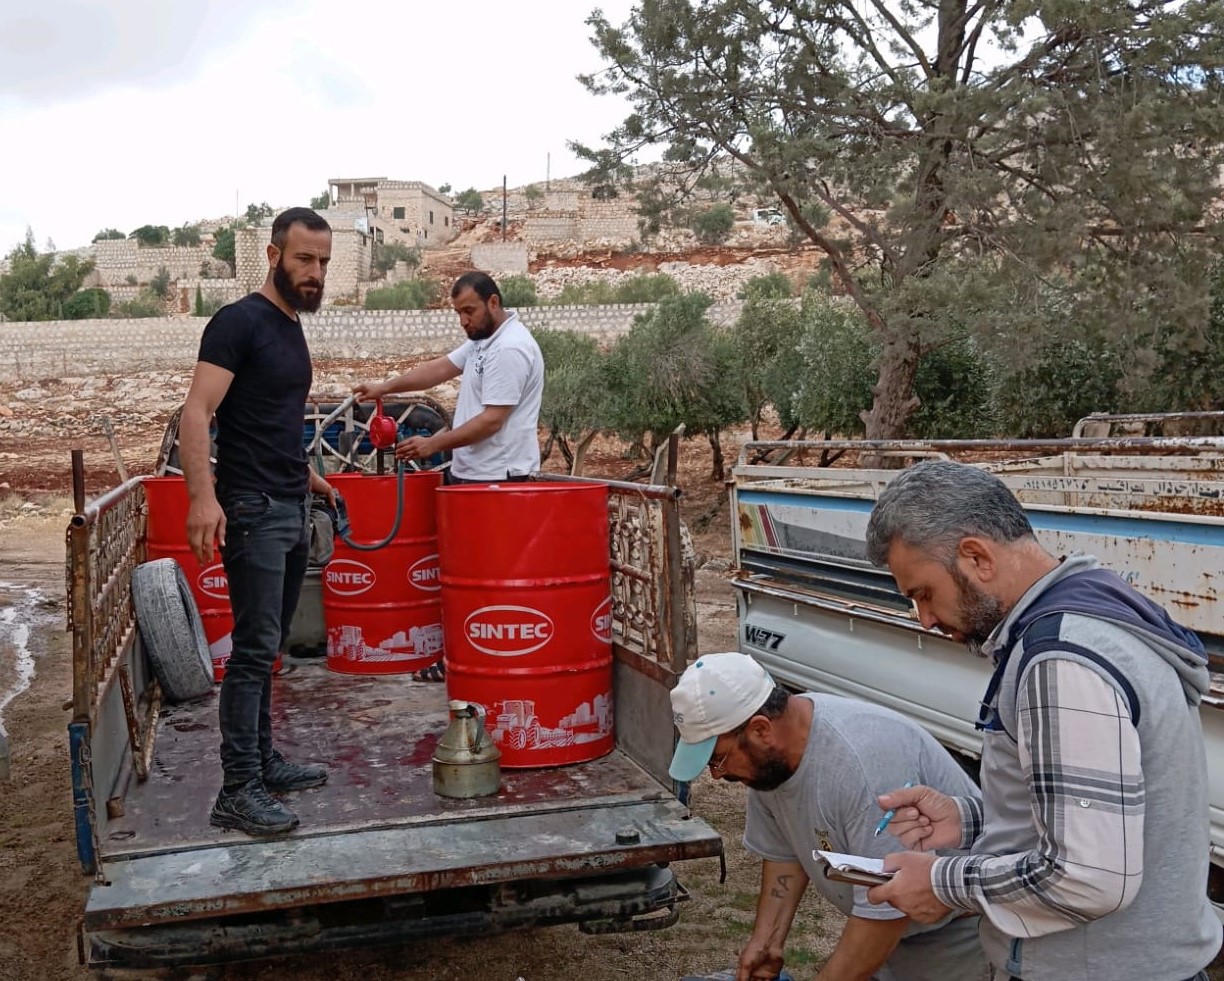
x=382 y=609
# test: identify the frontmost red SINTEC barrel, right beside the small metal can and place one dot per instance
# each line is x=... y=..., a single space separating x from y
x=527 y=612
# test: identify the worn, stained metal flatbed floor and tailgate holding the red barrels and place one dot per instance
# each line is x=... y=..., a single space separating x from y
x=376 y=829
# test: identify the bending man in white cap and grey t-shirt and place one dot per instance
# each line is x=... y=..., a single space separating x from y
x=815 y=766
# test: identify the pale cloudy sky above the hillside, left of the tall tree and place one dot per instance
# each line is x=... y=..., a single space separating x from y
x=122 y=113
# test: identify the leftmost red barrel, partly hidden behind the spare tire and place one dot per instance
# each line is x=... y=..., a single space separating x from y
x=167 y=498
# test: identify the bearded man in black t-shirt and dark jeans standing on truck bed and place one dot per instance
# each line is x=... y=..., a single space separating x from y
x=254 y=374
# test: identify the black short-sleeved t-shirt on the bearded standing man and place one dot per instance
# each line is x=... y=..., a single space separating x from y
x=260 y=422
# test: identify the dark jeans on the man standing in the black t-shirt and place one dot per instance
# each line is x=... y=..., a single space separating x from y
x=265 y=557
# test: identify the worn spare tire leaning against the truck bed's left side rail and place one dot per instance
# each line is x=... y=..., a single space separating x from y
x=172 y=630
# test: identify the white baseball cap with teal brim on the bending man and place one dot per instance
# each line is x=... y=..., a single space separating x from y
x=717 y=694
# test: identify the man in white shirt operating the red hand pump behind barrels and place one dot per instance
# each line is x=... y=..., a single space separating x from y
x=495 y=423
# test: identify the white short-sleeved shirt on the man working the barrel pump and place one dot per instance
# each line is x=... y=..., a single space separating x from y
x=506 y=369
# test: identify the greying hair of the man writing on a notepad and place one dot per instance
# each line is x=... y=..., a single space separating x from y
x=936 y=504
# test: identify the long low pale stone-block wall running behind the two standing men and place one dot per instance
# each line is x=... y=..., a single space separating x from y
x=59 y=348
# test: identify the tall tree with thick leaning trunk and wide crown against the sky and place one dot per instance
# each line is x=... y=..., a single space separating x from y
x=952 y=159
